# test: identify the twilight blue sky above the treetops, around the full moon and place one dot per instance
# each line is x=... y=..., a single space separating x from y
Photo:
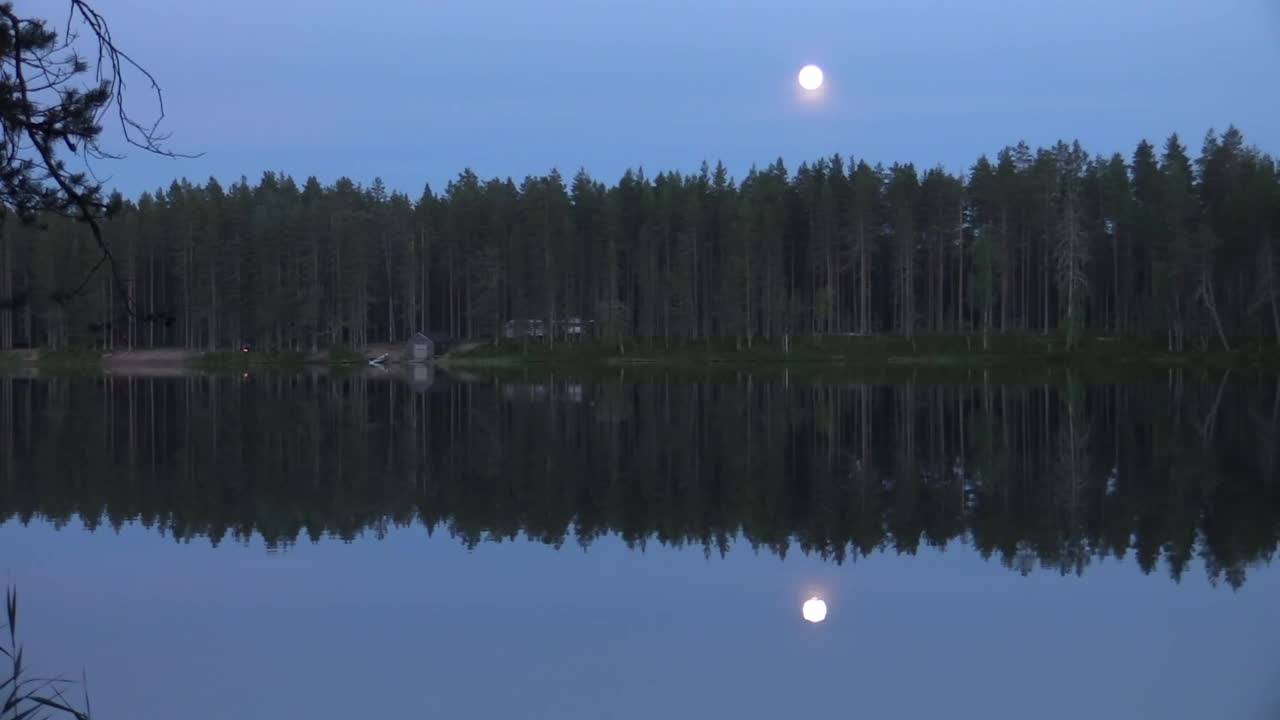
x=417 y=90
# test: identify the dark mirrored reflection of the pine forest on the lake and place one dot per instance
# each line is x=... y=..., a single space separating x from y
x=1055 y=475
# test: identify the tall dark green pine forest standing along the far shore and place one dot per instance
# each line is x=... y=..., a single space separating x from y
x=1155 y=247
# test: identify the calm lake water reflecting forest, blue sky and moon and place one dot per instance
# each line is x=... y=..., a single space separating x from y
x=639 y=545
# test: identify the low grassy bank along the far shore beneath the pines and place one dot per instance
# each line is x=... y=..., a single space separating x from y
x=831 y=353
